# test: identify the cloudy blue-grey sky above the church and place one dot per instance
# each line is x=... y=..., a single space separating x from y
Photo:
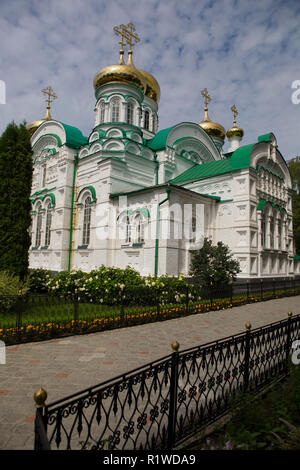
x=244 y=52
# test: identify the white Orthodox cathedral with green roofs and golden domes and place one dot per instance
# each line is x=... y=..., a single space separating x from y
x=164 y=189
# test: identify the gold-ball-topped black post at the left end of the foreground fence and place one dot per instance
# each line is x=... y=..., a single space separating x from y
x=40 y=426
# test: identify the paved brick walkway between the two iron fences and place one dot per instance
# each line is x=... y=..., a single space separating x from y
x=67 y=365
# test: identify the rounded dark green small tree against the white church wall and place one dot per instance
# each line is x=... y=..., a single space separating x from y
x=213 y=265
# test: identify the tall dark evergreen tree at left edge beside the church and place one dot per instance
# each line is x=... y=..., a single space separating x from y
x=15 y=206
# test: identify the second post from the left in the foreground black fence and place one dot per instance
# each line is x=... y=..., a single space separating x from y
x=173 y=395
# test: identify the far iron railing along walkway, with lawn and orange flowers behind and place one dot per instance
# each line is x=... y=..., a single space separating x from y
x=33 y=316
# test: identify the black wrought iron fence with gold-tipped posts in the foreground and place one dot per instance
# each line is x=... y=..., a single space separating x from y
x=161 y=404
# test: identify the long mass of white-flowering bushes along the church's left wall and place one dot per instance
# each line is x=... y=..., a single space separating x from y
x=112 y=285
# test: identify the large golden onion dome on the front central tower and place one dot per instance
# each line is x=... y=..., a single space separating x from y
x=121 y=73
